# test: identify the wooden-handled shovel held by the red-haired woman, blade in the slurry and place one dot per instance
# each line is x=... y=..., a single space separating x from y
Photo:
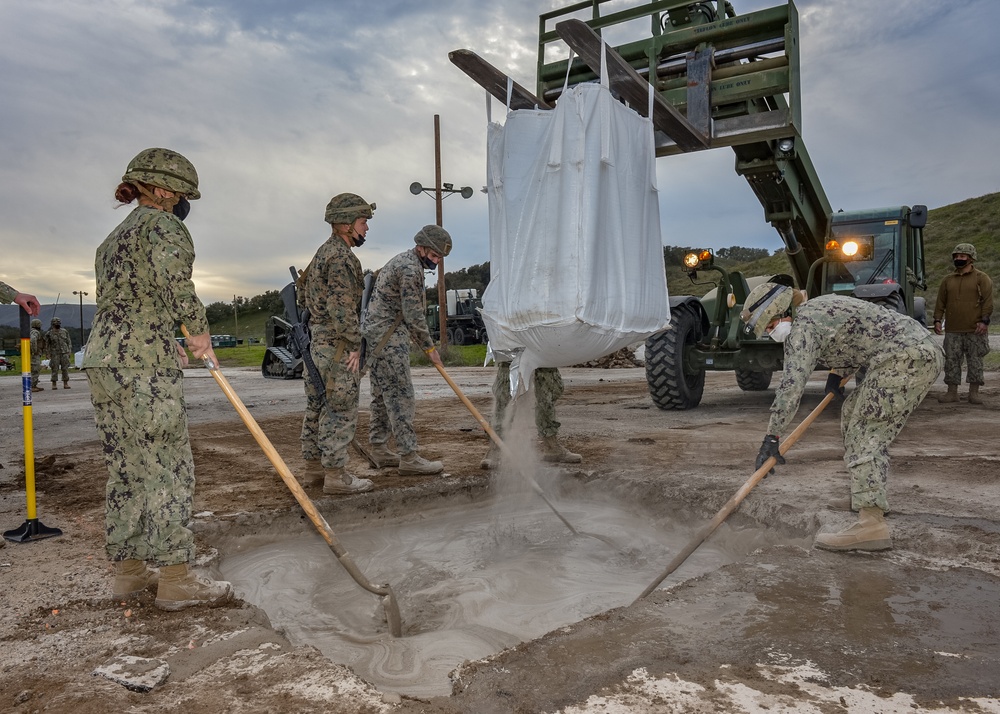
x=388 y=596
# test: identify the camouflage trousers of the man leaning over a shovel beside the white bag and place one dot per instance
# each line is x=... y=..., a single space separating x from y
x=393 y=400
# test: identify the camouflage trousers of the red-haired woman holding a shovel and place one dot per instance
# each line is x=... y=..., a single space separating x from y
x=142 y=425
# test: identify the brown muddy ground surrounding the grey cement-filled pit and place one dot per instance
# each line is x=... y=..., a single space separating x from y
x=787 y=628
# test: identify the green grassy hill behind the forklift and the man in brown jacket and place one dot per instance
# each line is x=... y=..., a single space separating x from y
x=975 y=220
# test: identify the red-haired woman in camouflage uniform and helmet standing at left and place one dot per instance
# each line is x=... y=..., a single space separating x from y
x=133 y=366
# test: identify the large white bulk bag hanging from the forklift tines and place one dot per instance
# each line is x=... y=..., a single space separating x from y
x=576 y=260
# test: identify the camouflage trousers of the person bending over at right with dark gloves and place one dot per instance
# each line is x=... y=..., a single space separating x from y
x=876 y=411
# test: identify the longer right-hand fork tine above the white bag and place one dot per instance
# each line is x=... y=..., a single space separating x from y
x=626 y=82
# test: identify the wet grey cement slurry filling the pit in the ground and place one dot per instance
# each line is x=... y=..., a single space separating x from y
x=471 y=580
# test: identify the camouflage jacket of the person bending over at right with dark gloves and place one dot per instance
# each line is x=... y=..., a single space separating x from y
x=843 y=334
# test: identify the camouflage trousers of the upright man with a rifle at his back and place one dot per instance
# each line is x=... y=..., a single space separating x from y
x=330 y=419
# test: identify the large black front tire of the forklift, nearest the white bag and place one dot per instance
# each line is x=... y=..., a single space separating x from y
x=669 y=387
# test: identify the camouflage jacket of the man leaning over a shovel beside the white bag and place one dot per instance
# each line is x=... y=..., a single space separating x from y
x=399 y=291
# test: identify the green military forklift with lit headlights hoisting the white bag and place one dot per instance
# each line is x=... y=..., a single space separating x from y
x=724 y=80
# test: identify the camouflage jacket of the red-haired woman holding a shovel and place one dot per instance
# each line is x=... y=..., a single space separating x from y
x=144 y=290
